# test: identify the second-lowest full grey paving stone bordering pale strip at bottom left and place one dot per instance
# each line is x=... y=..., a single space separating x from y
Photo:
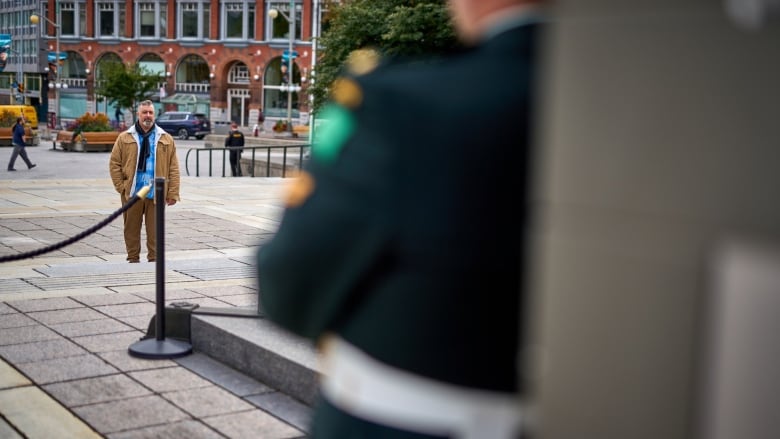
x=96 y=390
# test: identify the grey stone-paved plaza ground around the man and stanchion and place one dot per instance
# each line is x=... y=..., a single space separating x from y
x=67 y=317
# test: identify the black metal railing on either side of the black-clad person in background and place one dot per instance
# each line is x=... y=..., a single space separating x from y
x=292 y=157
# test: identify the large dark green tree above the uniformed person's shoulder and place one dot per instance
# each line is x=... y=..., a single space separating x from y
x=421 y=29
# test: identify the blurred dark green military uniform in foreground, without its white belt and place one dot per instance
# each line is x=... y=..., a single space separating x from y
x=405 y=235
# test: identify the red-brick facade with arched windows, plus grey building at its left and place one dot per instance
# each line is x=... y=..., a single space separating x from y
x=227 y=59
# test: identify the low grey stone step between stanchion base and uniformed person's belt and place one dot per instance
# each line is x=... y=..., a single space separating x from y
x=259 y=349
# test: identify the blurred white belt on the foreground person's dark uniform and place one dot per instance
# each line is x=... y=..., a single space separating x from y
x=368 y=389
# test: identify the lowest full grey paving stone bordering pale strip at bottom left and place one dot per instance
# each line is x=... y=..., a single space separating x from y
x=143 y=411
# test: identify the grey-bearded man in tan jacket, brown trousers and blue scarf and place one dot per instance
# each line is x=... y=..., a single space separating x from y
x=141 y=154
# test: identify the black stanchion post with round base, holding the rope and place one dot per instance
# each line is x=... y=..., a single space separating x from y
x=160 y=347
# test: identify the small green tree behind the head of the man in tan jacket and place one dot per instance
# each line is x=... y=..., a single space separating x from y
x=126 y=85
